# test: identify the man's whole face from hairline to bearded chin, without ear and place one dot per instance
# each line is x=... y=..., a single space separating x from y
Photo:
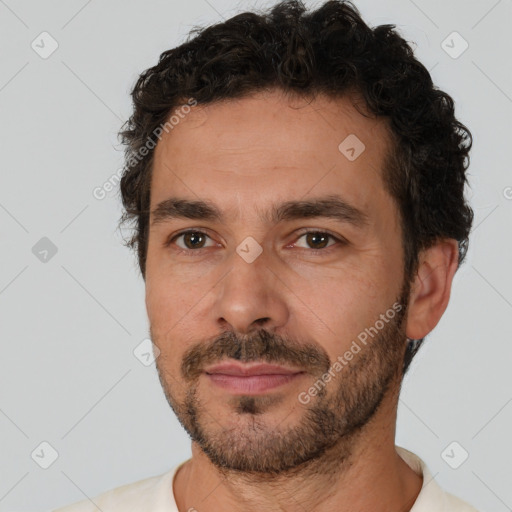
x=252 y=310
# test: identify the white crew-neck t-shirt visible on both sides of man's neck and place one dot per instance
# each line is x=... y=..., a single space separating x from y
x=155 y=494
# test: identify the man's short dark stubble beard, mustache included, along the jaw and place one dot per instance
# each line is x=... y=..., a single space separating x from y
x=330 y=423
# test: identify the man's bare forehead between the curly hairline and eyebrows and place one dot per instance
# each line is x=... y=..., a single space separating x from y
x=268 y=148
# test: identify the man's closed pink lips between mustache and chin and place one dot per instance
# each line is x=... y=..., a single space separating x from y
x=250 y=379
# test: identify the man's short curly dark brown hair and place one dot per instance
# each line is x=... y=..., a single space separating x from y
x=329 y=51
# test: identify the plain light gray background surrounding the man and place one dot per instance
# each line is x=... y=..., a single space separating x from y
x=69 y=325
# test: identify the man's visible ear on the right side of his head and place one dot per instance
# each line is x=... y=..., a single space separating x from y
x=430 y=291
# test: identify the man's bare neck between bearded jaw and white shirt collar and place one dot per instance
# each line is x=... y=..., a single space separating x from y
x=363 y=473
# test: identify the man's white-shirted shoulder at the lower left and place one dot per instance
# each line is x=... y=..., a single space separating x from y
x=134 y=496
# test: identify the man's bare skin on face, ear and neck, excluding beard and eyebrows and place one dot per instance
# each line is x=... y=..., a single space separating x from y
x=244 y=155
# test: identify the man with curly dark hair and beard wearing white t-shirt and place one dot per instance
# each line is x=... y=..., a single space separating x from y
x=297 y=186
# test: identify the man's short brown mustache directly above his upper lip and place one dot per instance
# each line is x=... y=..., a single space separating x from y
x=258 y=346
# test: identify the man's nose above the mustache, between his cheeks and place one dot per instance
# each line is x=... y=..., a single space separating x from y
x=250 y=297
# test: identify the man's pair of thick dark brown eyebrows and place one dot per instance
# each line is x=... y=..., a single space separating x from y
x=332 y=206
